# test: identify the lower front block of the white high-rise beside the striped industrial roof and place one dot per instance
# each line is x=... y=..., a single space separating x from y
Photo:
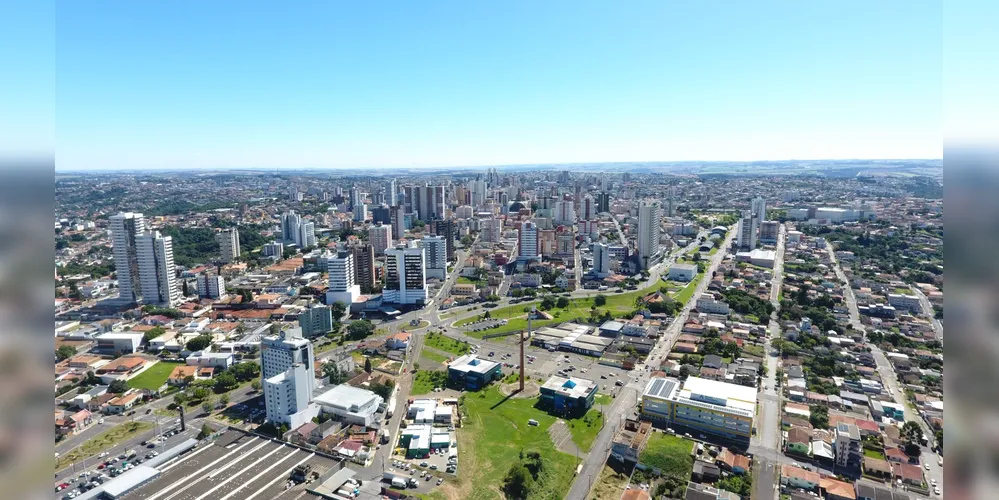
x=287 y=396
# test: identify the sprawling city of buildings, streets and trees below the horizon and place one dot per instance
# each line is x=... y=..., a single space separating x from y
x=541 y=332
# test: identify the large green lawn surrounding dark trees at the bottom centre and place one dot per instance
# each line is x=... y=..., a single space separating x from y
x=492 y=438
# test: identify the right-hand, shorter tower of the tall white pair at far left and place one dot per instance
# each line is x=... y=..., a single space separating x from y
x=157 y=275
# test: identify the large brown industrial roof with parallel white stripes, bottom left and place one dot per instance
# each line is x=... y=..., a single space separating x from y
x=236 y=466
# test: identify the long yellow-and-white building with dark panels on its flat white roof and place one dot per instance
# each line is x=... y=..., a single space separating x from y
x=706 y=405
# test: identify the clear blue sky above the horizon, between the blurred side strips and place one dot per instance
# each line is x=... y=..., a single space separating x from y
x=370 y=84
